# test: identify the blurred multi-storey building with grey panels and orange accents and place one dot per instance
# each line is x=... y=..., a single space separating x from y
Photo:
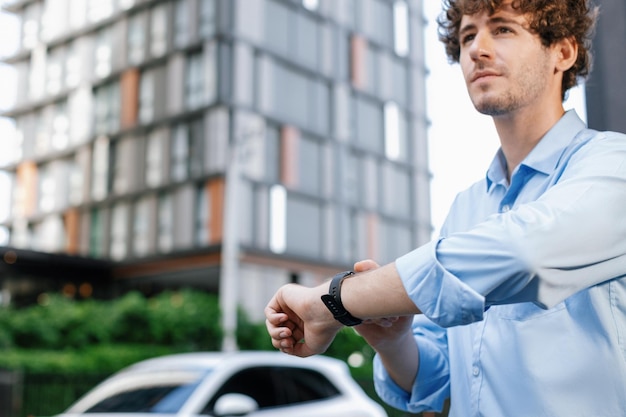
x=229 y=145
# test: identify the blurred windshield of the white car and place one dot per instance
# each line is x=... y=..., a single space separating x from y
x=146 y=391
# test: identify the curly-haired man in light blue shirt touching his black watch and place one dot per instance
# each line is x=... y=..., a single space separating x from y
x=520 y=306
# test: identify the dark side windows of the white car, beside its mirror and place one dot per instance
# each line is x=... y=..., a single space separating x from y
x=276 y=386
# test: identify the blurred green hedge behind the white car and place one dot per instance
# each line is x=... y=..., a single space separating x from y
x=64 y=335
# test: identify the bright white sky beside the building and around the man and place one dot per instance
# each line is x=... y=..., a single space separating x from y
x=462 y=142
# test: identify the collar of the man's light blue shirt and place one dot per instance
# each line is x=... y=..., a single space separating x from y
x=545 y=156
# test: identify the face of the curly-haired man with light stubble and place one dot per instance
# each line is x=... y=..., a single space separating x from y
x=506 y=68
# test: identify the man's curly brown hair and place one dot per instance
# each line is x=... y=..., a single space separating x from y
x=552 y=20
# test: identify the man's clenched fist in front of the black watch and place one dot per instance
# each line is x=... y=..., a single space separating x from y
x=298 y=322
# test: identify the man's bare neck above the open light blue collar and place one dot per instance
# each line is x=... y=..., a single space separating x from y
x=520 y=132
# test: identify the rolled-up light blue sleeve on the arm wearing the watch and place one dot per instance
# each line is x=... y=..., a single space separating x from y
x=569 y=238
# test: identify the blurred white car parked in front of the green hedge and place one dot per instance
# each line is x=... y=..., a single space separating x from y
x=250 y=384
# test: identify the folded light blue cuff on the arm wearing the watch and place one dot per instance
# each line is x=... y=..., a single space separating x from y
x=440 y=296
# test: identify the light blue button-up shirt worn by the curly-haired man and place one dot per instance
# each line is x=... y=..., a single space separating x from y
x=524 y=293
